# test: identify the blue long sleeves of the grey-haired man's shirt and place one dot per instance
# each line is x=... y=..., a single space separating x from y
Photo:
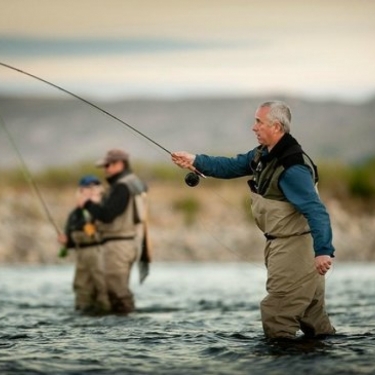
x=296 y=183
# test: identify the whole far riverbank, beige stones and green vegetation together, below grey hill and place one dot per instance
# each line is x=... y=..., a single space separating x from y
x=211 y=221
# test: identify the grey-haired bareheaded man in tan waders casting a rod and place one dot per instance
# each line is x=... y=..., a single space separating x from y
x=287 y=209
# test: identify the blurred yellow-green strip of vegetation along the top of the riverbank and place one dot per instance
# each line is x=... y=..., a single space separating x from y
x=340 y=181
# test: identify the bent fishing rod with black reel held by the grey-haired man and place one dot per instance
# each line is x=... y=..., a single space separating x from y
x=191 y=179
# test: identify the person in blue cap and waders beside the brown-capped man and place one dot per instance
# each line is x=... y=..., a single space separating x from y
x=80 y=233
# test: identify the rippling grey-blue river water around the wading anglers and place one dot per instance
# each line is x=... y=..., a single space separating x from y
x=191 y=318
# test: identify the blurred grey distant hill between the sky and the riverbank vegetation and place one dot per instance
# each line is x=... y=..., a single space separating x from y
x=51 y=132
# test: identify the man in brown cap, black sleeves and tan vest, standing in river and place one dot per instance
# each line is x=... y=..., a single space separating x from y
x=117 y=217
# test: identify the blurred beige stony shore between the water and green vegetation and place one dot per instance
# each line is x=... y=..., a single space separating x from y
x=219 y=230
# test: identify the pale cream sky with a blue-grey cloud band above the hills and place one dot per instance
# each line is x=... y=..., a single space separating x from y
x=117 y=49
